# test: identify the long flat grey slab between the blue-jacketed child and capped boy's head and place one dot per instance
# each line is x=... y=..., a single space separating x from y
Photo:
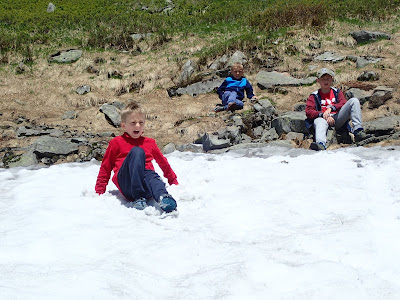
x=268 y=80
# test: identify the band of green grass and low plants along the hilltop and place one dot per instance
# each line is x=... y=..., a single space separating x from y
x=28 y=29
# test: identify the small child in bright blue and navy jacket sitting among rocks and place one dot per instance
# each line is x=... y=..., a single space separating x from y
x=232 y=90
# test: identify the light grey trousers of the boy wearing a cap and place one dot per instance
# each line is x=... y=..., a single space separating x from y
x=351 y=110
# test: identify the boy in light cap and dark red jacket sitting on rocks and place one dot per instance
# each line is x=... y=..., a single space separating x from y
x=328 y=107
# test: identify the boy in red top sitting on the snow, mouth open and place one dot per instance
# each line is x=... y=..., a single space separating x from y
x=130 y=157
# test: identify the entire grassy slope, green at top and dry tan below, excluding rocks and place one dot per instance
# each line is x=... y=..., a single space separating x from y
x=200 y=29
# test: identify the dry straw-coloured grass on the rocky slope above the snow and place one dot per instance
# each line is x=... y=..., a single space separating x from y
x=45 y=92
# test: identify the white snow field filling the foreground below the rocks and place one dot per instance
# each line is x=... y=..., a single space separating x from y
x=266 y=223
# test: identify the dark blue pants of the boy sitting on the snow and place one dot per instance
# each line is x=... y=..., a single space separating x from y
x=137 y=182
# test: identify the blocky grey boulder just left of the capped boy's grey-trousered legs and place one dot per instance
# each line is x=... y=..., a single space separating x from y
x=288 y=122
